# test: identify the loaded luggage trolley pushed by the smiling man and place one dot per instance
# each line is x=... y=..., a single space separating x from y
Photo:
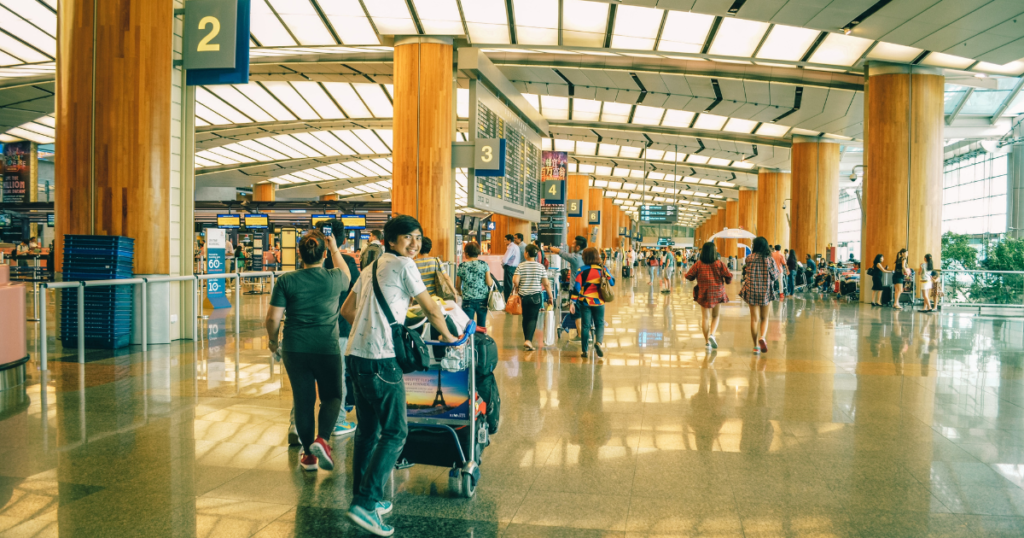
x=443 y=435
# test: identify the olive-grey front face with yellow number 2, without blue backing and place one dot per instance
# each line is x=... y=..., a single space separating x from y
x=210 y=28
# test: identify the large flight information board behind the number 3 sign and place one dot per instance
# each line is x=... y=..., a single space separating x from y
x=517 y=194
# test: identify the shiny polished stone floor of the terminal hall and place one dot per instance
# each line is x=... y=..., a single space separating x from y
x=860 y=422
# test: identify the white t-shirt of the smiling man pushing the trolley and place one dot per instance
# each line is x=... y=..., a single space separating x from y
x=400 y=282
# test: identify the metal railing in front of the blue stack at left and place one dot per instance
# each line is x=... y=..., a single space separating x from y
x=80 y=287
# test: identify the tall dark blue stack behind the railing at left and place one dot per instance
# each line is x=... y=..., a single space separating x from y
x=108 y=309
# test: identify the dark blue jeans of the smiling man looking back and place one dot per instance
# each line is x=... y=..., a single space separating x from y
x=380 y=436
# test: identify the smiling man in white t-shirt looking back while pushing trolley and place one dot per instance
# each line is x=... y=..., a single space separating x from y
x=380 y=391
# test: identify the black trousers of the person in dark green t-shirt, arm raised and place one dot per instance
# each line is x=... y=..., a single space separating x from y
x=310 y=375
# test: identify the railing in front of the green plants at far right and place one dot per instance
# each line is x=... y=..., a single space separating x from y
x=1004 y=289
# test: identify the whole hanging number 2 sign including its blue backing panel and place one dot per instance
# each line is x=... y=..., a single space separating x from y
x=217 y=43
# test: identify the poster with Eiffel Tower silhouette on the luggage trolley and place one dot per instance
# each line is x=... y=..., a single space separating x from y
x=438 y=395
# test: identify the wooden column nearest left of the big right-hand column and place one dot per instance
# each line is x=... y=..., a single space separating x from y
x=815 y=221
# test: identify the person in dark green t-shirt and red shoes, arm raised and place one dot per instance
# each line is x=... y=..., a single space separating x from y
x=310 y=350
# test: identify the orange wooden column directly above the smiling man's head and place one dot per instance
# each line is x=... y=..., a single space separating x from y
x=422 y=149
